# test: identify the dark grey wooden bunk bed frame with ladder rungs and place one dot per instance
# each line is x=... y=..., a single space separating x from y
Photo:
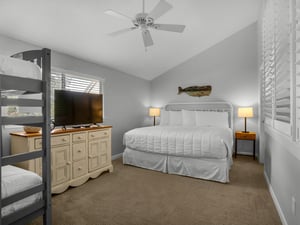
x=42 y=207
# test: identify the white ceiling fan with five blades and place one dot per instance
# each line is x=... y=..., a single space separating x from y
x=144 y=21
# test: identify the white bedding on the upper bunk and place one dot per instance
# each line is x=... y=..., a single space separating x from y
x=18 y=67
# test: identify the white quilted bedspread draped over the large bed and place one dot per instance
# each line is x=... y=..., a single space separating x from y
x=199 y=142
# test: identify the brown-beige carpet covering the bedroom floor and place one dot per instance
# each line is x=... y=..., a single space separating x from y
x=133 y=195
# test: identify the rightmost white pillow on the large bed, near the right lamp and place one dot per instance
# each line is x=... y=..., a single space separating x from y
x=216 y=119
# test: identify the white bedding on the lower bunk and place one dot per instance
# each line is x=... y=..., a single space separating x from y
x=14 y=180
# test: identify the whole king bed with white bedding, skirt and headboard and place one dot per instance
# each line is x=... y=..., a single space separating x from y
x=193 y=139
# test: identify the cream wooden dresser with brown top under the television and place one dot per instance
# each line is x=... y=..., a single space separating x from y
x=76 y=154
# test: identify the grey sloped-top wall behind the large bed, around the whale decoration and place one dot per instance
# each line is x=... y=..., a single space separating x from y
x=230 y=67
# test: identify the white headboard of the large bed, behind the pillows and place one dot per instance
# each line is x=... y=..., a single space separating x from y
x=217 y=106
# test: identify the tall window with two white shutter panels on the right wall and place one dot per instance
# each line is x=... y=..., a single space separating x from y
x=276 y=80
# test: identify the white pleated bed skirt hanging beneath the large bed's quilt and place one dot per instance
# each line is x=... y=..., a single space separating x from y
x=208 y=169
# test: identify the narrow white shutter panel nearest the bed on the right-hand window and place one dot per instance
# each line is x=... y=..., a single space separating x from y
x=269 y=62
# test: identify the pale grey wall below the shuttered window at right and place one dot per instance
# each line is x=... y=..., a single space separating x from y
x=282 y=168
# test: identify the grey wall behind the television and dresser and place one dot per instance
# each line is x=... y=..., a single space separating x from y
x=126 y=98
